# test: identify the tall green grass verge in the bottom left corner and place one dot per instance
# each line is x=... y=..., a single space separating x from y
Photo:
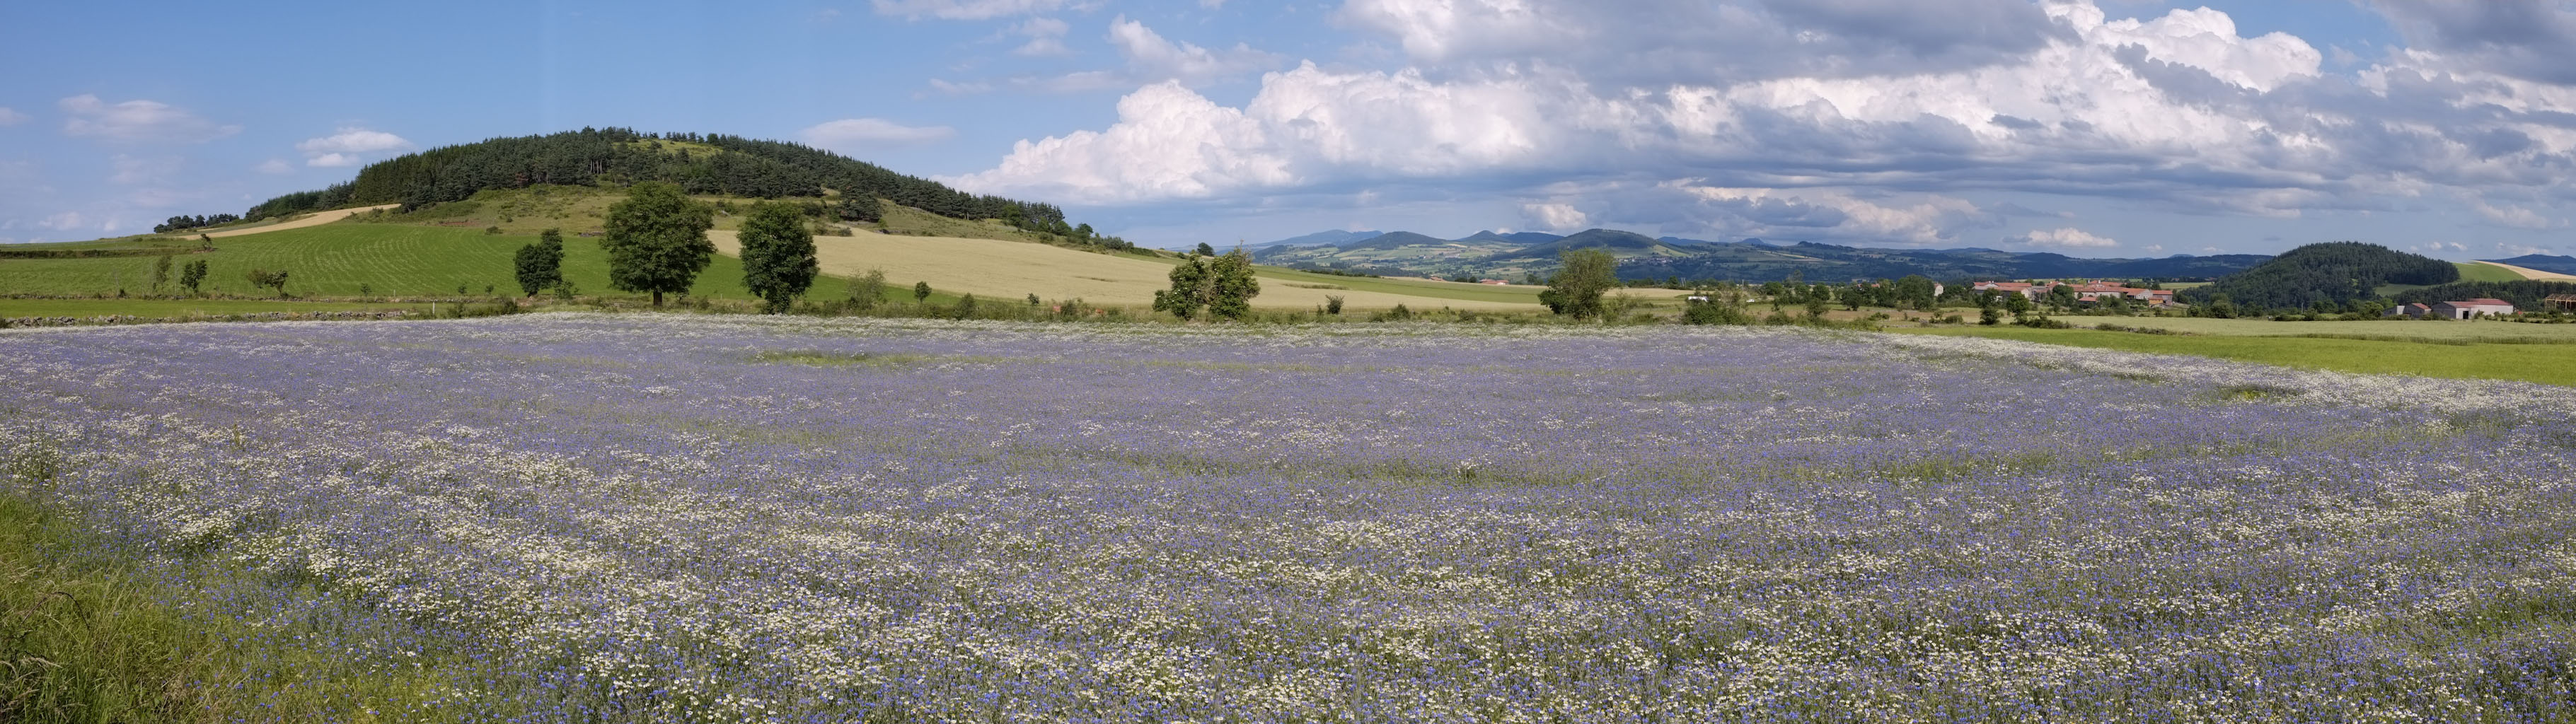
x=89 y=635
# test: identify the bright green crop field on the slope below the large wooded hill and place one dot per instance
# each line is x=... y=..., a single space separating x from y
x=341 y=259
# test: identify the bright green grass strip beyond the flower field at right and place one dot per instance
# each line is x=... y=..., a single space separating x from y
x=2546 y=365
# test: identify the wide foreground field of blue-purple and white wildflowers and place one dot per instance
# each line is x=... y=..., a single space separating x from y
x=748 y=519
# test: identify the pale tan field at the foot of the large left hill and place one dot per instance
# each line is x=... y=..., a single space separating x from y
x=998 y=269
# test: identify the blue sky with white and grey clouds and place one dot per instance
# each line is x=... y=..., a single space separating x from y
x=2096 y=128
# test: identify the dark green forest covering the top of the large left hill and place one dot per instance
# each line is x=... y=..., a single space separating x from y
x=699 y=164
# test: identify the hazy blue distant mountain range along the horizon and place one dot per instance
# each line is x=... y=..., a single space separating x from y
x=1521 y=254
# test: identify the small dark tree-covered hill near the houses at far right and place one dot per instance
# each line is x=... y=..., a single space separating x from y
x=2330 y=272
